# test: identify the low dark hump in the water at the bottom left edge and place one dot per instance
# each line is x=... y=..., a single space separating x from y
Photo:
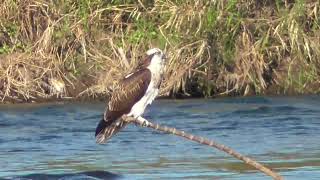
x=94 y=175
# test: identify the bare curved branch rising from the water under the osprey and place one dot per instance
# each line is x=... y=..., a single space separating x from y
x=210 y=143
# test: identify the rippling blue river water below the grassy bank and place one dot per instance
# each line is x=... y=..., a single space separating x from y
x=56 y=141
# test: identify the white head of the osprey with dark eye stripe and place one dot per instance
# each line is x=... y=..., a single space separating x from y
x=154 y=60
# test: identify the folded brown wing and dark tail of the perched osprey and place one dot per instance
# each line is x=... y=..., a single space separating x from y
x=130 y=91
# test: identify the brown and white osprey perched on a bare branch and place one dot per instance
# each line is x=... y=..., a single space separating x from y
x=132 y=96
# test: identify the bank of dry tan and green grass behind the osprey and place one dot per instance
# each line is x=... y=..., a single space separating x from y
x=80 y=48
